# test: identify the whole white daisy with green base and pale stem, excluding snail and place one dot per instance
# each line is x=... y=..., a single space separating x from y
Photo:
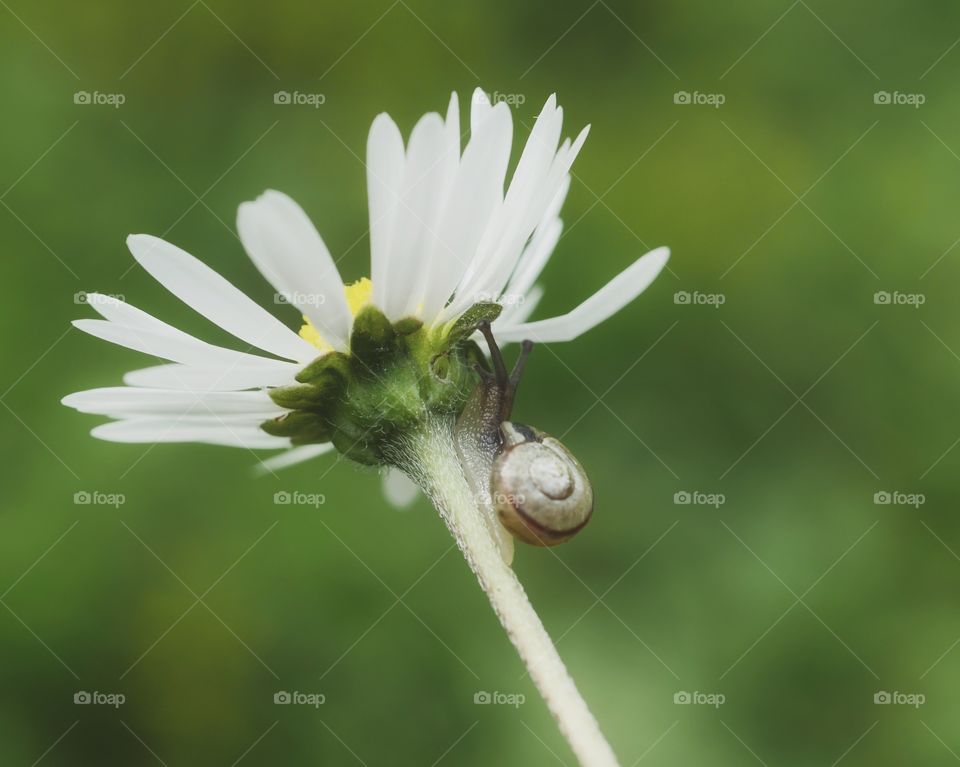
x=381 y=368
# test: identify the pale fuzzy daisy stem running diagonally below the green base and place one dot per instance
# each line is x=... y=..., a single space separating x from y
x=435 y=466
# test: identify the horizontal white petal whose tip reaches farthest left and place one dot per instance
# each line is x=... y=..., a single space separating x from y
x=123 y=401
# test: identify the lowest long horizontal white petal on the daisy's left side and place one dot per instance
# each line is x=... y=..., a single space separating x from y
x=205 y=430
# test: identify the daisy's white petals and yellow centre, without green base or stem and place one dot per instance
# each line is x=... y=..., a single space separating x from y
x=443 y=237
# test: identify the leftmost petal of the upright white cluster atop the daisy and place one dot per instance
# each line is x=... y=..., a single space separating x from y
x=385 y=160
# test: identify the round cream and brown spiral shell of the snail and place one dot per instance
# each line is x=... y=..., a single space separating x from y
x=539 y=490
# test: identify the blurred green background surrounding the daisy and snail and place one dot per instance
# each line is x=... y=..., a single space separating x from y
x=783 y=391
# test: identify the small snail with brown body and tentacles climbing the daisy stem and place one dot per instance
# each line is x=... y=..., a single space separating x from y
x=536 y=487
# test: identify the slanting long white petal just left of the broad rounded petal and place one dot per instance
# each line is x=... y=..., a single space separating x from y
x=206 y=292
